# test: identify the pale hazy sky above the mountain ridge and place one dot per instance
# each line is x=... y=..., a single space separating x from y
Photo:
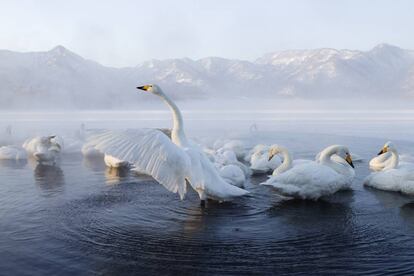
x=126 y=32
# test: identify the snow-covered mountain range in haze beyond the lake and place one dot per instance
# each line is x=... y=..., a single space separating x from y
x=60 y=78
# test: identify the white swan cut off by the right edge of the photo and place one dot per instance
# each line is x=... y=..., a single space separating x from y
x=394 y=175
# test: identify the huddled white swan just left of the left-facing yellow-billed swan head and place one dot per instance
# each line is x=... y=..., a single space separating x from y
x=259 y=161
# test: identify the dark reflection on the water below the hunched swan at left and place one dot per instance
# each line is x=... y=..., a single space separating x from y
x=49 y=178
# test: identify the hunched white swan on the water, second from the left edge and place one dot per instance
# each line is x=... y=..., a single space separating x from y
x=44 y=149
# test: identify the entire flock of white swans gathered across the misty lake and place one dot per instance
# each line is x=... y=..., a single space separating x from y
x=175 y=161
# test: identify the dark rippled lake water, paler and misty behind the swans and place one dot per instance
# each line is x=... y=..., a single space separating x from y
x=81 y=218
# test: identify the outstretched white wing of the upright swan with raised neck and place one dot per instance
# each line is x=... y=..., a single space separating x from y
x=151 y=151
